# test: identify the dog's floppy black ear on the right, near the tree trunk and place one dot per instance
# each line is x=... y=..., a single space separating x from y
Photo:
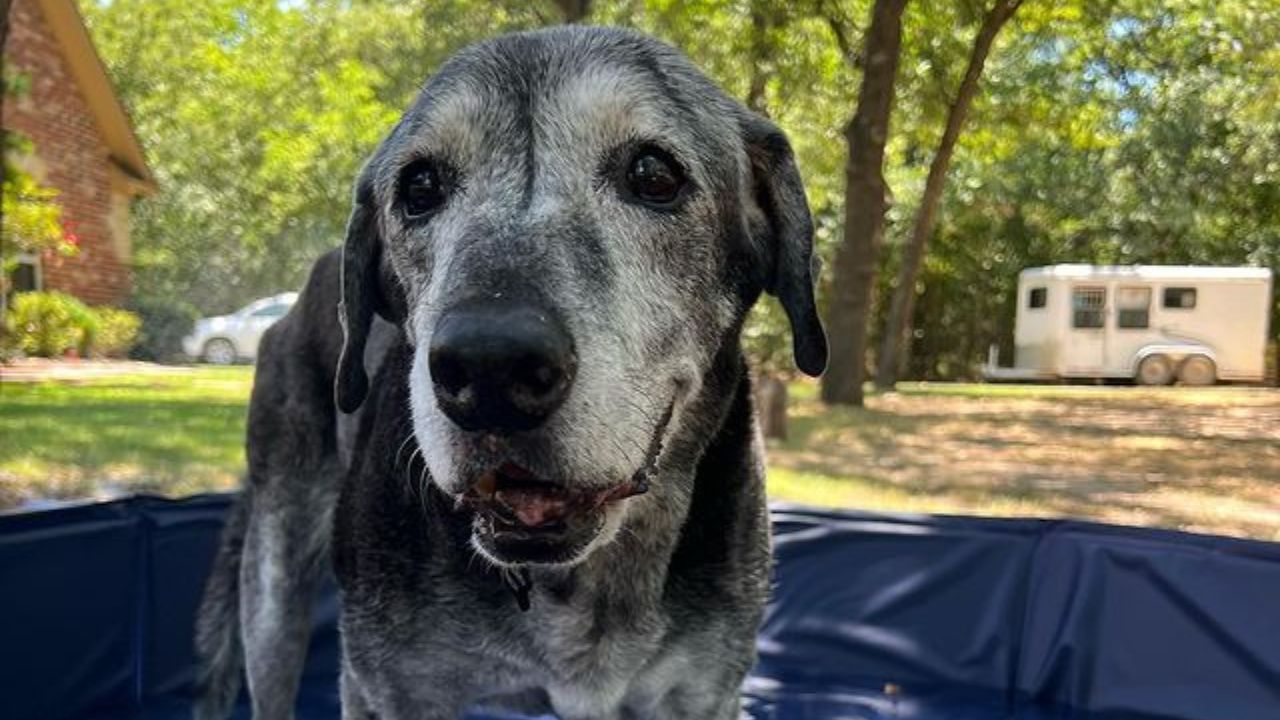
x=779 y=193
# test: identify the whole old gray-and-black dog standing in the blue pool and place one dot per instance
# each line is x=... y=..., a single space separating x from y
x=555 y=500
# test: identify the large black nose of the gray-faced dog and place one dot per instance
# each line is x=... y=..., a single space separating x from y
x=501 y=367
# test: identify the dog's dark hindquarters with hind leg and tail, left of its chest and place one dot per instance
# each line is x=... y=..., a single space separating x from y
x=299 y=450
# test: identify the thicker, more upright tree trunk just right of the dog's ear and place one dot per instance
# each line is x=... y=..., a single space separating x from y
x=857 y=257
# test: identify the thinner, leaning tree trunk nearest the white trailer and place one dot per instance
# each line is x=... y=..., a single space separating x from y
x=899 y=323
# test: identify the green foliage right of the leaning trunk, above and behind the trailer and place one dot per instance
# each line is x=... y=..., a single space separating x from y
x=1109 y=133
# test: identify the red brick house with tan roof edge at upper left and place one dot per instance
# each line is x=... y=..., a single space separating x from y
x=85 y=148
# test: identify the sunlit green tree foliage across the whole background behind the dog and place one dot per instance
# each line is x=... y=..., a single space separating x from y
x=1109 y=131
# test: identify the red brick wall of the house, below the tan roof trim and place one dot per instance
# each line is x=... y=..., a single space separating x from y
x=71 y=157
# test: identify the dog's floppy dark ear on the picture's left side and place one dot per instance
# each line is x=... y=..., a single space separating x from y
x=368 y=286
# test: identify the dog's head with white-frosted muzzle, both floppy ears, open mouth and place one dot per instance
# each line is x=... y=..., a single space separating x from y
x=570 y=226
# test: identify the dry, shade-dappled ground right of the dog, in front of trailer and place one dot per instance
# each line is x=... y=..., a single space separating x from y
x=1204 y=461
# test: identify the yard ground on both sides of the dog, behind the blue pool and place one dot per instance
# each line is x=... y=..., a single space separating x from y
x=1203 y=461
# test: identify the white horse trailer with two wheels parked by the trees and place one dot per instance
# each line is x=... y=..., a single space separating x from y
x=1153 y=323
